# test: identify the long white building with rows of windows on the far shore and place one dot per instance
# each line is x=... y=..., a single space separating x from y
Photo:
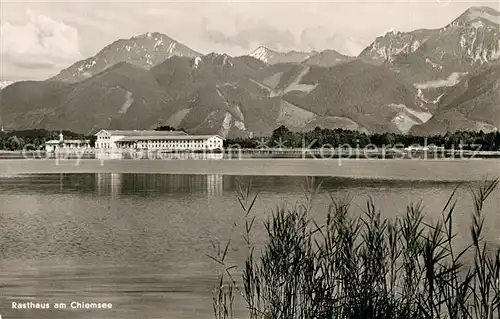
x=156 y=140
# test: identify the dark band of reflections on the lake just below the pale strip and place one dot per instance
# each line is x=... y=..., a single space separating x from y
x=117 y=184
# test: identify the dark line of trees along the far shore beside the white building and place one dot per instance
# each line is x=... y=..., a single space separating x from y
x=284 y=138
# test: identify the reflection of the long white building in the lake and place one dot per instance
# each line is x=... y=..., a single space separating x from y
x=116 y=184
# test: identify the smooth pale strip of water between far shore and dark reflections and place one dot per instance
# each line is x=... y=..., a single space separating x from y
x=409 y=169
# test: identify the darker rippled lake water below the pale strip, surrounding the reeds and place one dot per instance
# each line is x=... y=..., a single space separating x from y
x=139 y=241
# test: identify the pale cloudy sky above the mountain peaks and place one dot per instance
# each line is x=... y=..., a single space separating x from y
x=40 y=38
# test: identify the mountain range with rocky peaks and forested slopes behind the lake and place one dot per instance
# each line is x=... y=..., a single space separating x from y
x=421 y=82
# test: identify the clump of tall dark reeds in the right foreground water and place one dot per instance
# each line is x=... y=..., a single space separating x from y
x=363 y=267
